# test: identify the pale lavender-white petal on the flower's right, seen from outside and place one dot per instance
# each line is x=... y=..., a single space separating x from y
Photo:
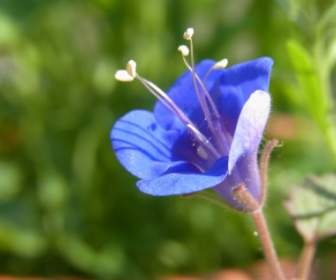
x=250 y=126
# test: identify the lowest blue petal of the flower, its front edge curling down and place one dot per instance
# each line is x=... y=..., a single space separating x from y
x=184 y=179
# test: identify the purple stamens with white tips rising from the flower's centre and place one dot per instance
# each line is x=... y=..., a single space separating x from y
x=206 y=150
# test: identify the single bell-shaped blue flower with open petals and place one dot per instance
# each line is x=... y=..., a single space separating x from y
x=204 y=133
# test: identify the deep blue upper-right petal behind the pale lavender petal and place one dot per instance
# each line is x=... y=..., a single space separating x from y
x=235 y=86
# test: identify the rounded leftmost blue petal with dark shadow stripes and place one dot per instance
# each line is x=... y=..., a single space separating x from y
x=141 y=146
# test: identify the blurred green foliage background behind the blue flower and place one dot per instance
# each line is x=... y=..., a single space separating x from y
x=66 y=205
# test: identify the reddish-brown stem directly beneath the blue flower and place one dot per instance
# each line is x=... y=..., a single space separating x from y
x=267 y=244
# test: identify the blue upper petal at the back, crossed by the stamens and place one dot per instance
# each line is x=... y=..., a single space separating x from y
x=184 y=96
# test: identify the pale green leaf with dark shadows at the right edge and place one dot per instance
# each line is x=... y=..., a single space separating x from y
x=313 y=207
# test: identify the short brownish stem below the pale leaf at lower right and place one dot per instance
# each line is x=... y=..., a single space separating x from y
x=306 y=260
